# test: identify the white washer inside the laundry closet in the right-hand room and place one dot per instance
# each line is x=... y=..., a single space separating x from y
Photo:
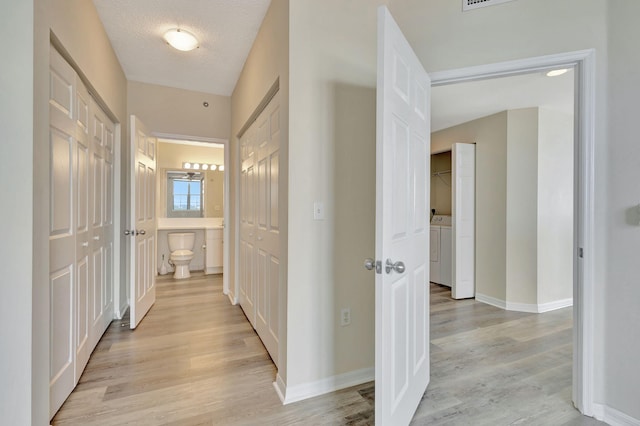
x=440 y=250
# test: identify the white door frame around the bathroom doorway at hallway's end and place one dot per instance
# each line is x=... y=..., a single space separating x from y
x=226 y=198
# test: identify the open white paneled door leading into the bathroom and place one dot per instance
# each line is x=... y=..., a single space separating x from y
x=143 y=222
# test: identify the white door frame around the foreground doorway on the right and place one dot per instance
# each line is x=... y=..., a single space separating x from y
x=584 y=64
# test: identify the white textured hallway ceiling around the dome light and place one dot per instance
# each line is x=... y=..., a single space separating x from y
x=226 y=30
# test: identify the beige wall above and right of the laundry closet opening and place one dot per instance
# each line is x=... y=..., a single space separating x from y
x=490 y=136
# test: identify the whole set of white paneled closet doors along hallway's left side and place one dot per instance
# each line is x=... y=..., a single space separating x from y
x=81 y=231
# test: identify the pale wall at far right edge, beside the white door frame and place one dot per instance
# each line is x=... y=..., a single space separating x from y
x=619 y=237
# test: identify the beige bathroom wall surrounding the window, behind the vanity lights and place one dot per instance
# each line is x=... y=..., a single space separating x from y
x=170 y=158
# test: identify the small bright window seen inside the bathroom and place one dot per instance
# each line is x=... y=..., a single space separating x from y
x=185 y=194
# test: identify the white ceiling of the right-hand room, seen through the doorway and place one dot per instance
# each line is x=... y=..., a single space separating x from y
x=458 y=103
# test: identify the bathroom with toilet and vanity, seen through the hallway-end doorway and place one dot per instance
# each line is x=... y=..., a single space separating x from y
x=190 y=200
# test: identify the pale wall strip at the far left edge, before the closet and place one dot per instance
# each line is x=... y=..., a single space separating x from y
x=16 y=152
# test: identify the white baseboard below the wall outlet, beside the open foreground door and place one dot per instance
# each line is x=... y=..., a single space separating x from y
x=330 y=384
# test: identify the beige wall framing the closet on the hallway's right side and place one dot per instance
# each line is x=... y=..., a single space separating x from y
x=268 y=61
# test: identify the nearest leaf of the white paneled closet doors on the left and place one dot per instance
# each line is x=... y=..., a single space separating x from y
x=63 y=226
